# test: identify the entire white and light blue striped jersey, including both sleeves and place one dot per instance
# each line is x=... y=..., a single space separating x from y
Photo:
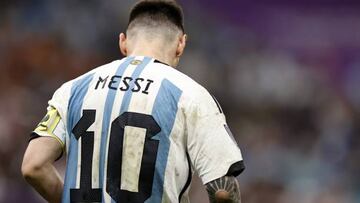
x=142 y=124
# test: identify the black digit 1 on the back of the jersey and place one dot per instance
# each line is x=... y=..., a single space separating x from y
x=85 y=193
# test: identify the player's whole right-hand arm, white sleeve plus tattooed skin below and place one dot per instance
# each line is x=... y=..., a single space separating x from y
x=213 y=151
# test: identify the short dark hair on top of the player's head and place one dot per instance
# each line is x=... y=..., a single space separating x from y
x=159 y=12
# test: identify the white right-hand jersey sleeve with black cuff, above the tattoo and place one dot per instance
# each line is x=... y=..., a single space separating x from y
x=211 y=147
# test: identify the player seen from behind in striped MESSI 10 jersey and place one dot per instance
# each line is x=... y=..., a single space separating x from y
x=136 y=129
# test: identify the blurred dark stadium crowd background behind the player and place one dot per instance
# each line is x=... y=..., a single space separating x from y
x=286 y=74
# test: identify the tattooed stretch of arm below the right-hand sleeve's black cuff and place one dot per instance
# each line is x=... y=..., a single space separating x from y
x=224 y=189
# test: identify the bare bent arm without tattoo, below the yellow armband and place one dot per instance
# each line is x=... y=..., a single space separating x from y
x=38 y=170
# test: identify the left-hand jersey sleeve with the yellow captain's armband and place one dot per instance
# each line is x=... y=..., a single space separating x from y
x=54 y=122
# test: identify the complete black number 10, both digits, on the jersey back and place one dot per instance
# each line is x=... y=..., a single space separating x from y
x=85 y=193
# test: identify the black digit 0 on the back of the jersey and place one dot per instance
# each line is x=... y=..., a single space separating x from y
x=148 y=160
